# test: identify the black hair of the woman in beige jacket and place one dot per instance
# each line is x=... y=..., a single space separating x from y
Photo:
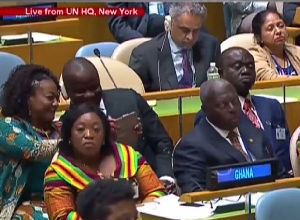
x=258 y=21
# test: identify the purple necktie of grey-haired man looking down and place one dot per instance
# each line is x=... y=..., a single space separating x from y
x=187 y=78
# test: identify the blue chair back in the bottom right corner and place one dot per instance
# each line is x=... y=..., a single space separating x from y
x=280 y=204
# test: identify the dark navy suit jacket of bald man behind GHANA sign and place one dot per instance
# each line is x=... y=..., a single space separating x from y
x=204 y=147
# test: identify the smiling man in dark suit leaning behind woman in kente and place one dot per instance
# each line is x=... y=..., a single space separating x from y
x=82 y=85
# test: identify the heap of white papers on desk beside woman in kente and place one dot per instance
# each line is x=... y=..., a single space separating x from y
x=169 y=207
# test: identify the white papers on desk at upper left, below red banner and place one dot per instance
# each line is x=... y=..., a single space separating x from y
x=37 y=37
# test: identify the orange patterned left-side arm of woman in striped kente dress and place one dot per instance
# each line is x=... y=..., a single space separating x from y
x=59 y=197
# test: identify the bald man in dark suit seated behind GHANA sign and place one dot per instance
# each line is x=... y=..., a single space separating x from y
x=224 y=137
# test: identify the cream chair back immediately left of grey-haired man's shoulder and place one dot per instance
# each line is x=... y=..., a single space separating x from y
x=123 y=52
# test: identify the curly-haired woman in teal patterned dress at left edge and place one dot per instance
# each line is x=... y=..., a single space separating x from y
x=28 y=140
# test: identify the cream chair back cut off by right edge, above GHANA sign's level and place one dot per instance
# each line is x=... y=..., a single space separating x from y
x=293 y=152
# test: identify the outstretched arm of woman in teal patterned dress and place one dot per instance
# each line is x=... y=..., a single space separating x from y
x=17 y=139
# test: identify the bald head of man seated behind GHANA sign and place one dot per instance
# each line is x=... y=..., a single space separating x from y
x=220 y=103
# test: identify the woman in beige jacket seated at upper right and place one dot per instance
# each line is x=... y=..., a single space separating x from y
x=273 y=56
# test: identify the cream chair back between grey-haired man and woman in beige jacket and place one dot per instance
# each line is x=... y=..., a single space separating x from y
x=245 y=40
